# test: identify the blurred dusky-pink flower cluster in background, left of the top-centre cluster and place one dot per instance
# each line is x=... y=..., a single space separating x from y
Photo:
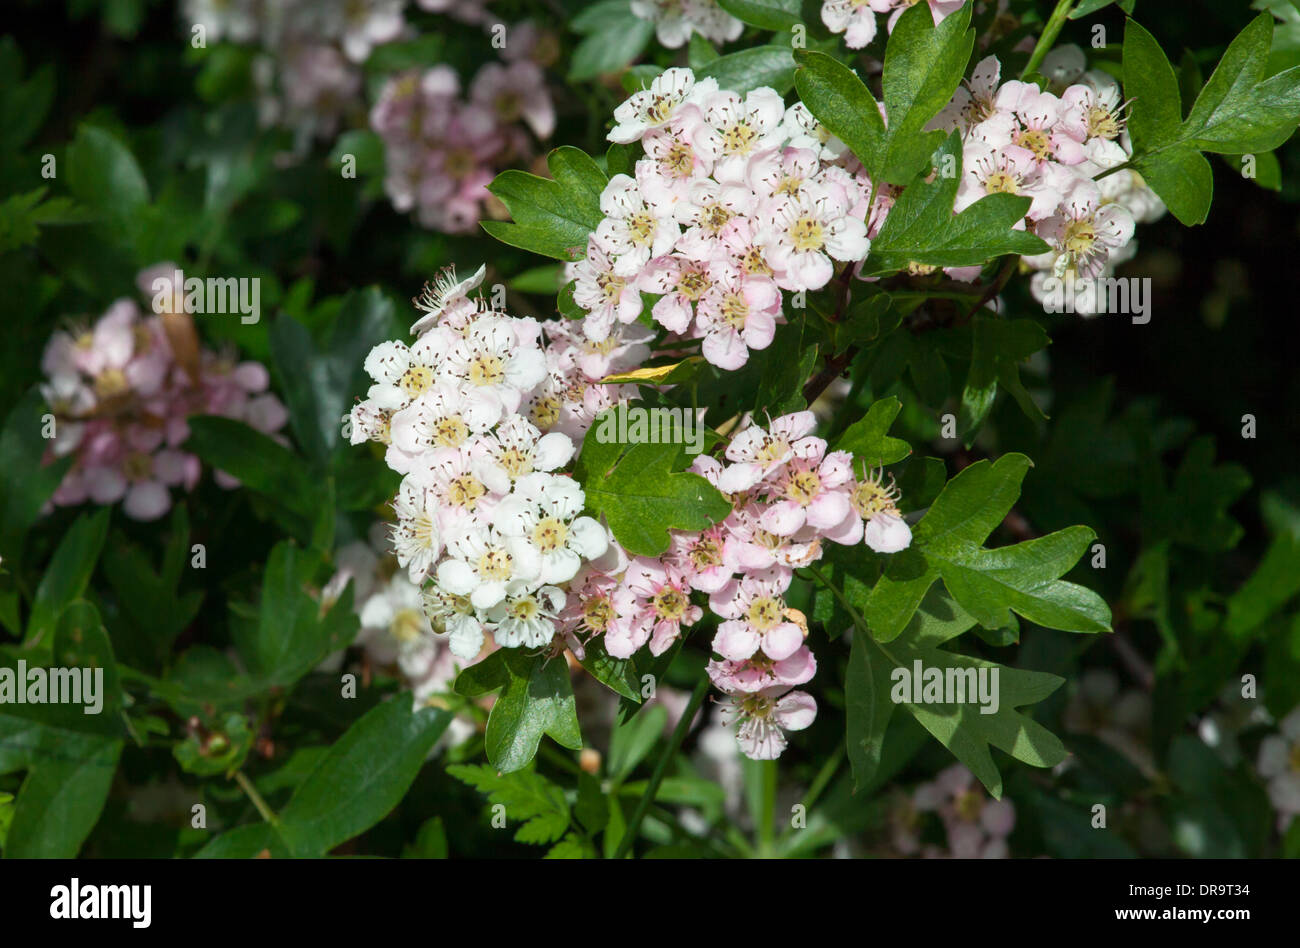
x=443 y=148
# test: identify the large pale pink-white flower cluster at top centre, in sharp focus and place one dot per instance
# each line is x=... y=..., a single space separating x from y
x=735 y=201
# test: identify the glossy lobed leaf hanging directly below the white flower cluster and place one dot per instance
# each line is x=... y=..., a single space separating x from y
x=536 y=699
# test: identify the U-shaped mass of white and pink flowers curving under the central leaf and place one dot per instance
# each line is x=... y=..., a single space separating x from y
x=482 y=414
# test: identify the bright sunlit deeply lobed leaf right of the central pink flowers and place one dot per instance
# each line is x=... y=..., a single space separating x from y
x=989 y=585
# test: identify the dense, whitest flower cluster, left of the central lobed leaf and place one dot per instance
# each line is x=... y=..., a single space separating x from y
x=482 y=509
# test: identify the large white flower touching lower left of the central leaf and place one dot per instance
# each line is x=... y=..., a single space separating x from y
x=544 y=514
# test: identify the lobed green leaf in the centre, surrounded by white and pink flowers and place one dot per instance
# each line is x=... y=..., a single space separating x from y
x=639 y=492
